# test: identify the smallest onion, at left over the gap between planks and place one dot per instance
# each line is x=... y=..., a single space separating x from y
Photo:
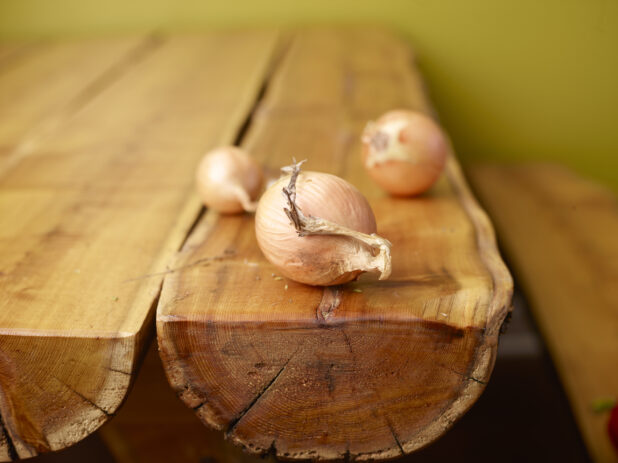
x=229 y=180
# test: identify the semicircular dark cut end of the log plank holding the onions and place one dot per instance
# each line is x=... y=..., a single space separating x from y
x=326 y=390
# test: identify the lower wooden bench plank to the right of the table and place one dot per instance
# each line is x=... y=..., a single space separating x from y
x=560 y=233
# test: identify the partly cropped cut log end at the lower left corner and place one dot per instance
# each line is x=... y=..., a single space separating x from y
x=79 y=387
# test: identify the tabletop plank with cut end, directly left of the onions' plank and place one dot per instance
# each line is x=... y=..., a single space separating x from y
x=92 y=215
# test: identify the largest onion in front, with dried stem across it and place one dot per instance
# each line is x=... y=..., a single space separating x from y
x=318 y=229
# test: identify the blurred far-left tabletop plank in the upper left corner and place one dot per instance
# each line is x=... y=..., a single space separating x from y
x=42 y=84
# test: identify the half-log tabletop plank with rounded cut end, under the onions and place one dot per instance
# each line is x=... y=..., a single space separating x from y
x=395 y=364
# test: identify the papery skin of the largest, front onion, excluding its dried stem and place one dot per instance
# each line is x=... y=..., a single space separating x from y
x=321 y=260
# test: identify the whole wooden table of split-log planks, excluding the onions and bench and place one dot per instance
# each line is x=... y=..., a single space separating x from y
x=100 y=139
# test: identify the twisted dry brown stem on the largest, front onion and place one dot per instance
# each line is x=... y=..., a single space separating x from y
x=309 y=225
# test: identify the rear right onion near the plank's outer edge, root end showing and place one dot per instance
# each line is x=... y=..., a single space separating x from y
x=404 y=152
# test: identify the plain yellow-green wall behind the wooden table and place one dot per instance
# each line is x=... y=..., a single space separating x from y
x=512 y=80
